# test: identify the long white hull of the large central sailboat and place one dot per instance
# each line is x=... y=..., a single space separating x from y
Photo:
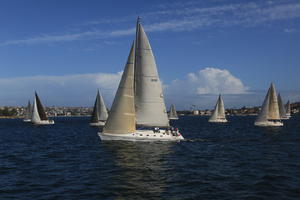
x=142 y=135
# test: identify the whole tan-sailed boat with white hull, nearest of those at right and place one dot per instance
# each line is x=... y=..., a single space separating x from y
x=269 y=114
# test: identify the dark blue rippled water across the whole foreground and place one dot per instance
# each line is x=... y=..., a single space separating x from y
x=219 y=161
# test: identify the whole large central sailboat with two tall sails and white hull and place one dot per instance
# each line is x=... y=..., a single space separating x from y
x=139 y=100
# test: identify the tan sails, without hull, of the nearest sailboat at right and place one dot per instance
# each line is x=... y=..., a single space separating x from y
x=270 y=109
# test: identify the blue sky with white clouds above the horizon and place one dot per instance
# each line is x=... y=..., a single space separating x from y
x=67 y=49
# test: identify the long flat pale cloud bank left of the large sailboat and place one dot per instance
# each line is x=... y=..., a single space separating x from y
x=77 y=89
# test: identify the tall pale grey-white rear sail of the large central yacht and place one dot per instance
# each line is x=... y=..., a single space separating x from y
x=149 y=100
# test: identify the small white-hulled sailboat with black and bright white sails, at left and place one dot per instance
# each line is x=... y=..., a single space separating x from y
x=39 y=116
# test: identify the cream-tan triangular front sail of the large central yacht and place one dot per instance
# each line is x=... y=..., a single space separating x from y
x=121 y=117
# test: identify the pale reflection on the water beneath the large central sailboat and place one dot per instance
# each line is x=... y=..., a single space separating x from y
x=141 y=167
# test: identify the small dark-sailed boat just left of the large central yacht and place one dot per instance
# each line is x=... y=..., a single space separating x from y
x=99 y=115
